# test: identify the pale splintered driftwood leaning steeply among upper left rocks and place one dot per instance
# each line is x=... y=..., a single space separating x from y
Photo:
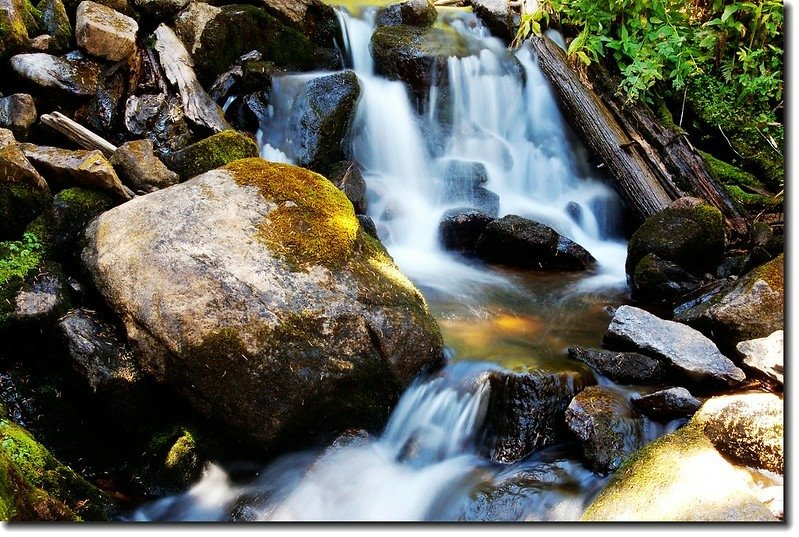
x=176 y=62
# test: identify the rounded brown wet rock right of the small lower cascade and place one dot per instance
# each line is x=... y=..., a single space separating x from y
x=606 y=425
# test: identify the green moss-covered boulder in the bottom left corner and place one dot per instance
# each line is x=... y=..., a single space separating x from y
x=36 y=486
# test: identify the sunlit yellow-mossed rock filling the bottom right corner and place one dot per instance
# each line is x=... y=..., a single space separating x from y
x=679 y=477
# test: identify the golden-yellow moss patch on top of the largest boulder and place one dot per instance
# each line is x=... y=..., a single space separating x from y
x=314 y=223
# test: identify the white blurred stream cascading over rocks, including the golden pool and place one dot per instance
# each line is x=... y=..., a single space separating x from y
x=498 y=115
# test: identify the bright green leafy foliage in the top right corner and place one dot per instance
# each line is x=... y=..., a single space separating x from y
x=654 y=41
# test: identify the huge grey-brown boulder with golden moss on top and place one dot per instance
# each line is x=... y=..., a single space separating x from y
x=251 y=292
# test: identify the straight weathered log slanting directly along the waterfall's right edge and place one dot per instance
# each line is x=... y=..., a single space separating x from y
x=634 y=178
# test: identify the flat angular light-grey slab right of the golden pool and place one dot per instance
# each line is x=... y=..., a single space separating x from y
x=688 y=352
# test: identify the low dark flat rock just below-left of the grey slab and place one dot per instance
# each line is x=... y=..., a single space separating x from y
x=622 y=367
